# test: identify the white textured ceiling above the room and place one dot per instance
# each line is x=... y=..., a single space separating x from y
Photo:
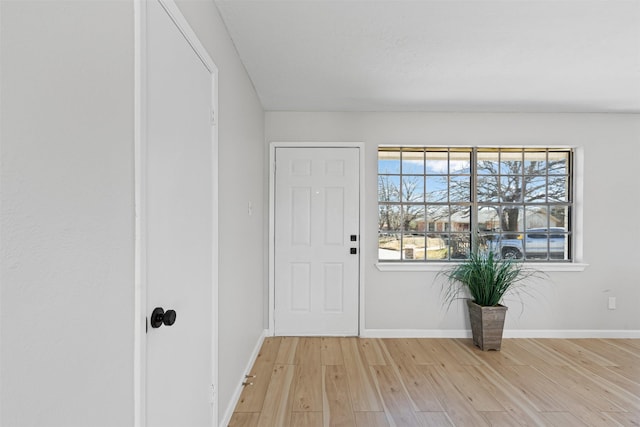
x=447 y=55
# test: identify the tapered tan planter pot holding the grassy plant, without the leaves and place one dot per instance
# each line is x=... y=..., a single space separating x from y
x=487 y=324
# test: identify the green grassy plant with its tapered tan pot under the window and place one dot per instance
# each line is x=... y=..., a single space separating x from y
x=485 y=278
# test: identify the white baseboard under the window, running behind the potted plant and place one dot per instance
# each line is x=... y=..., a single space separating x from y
x=508 y=333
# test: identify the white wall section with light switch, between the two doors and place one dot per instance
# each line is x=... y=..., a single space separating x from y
x=242 y=275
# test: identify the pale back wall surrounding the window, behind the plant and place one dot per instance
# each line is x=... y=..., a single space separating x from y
x=570 y=301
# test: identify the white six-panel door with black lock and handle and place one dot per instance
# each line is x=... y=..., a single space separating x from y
x=317 y=242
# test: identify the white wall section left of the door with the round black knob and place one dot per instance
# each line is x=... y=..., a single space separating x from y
x=67 y=254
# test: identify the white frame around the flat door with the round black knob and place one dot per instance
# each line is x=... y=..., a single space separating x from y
x=140 y=167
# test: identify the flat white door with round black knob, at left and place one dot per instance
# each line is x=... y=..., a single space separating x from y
x=178 y=225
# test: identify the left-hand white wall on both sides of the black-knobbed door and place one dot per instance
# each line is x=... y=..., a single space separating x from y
x=67 y=217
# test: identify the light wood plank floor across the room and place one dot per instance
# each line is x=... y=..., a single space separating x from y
x=442 y=382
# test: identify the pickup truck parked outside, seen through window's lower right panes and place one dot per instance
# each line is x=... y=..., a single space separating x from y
x=536 y=243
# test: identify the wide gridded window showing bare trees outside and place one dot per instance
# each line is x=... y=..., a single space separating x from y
x=435 y=204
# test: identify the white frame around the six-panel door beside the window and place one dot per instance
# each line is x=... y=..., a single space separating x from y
x=272 y=220
